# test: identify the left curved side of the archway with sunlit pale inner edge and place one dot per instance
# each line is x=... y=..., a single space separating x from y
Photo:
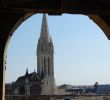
x=3 y=48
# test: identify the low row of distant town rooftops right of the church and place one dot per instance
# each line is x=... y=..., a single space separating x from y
x=97 y=89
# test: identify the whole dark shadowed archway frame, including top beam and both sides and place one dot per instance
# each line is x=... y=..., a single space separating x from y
x=14 y=12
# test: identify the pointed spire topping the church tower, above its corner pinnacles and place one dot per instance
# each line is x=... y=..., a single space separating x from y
x=44 y=29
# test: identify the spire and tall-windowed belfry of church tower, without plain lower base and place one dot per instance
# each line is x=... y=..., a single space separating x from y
x=44 y=48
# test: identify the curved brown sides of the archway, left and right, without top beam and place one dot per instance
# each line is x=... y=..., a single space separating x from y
x=4 y=39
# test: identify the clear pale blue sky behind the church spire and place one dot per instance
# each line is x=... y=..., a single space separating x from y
x=81 y=50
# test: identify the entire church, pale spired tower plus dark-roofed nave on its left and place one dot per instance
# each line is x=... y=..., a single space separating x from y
x=41 y=82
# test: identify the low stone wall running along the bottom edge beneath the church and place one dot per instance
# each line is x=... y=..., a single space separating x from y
x=53 y=98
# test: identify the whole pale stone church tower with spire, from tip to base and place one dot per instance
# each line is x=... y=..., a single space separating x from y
x=45 y=59
